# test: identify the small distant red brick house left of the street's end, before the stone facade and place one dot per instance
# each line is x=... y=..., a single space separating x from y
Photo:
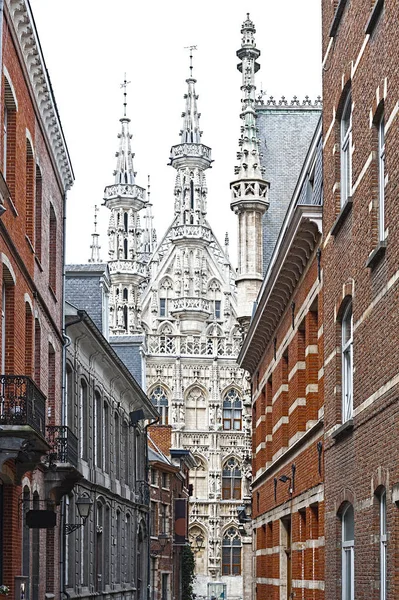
x=169 y=493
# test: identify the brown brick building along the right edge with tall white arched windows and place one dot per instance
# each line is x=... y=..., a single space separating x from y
x=361 y=290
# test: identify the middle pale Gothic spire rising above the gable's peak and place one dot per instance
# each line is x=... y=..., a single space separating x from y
x=190 y=158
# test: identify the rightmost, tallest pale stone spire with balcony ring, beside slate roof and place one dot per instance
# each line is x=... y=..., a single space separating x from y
x=250 y=190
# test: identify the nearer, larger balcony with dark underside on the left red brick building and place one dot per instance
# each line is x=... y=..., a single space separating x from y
x=22 y=423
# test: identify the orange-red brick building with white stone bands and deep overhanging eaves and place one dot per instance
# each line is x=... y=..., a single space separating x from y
x=283 y=352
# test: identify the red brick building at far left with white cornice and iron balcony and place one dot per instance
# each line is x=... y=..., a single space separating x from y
x=35 y=173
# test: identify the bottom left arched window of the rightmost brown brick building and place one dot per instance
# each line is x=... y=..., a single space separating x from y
x=348 y=553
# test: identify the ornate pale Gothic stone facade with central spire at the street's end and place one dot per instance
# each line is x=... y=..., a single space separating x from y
x=187 y=310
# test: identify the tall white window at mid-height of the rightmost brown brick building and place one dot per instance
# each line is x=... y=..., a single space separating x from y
x=347 y=364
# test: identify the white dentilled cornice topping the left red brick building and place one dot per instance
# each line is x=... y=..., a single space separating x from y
x=25 y=30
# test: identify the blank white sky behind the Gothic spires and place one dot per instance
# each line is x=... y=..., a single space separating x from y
x=88 y=45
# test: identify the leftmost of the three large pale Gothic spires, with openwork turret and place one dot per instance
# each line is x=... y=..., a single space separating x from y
x=126 y=263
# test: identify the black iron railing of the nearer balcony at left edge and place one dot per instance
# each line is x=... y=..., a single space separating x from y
x=22 y=403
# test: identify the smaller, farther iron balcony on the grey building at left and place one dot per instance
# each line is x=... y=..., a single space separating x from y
x=62 y=459
